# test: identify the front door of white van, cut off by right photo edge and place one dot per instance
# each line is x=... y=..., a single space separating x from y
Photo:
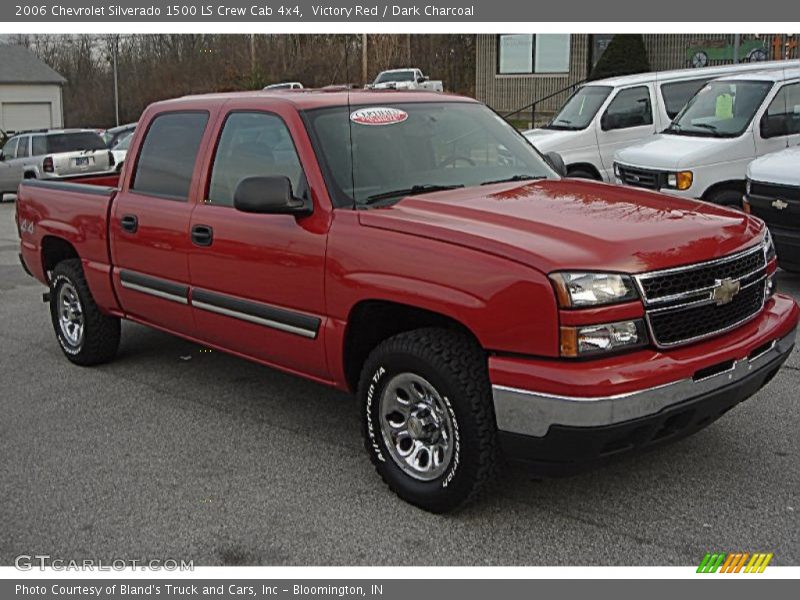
x=779 y=126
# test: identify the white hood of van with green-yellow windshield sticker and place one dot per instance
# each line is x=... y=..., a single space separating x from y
x=670 y=152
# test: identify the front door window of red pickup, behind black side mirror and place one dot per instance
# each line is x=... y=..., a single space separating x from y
x=252 y=144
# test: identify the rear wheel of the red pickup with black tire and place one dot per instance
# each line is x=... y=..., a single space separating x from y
x=99 y=340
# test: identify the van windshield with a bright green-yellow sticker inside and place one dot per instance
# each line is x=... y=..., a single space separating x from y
x=720 y=109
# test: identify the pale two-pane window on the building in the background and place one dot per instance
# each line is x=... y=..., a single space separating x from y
x=524 y=54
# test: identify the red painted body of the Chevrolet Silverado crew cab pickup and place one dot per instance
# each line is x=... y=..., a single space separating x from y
x=479 y=256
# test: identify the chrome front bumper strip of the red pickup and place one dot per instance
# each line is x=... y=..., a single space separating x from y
x=532 y=413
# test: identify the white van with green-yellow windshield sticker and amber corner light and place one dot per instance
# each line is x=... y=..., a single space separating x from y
x=705 y=151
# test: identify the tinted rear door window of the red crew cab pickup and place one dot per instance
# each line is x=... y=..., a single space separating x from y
x=166 y=160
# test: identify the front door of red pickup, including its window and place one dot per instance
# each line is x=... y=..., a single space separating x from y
x=257 y=279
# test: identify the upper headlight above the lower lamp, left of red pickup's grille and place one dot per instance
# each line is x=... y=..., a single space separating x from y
x=580 y=290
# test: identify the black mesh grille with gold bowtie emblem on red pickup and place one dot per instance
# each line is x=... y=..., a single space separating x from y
x=687 y=304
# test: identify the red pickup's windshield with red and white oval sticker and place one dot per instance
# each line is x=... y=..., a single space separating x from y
x=386 y=152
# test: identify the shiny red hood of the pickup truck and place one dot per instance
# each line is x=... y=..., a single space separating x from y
x=572 y=224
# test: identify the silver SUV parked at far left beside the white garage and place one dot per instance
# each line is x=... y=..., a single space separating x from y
x=52 y=154
